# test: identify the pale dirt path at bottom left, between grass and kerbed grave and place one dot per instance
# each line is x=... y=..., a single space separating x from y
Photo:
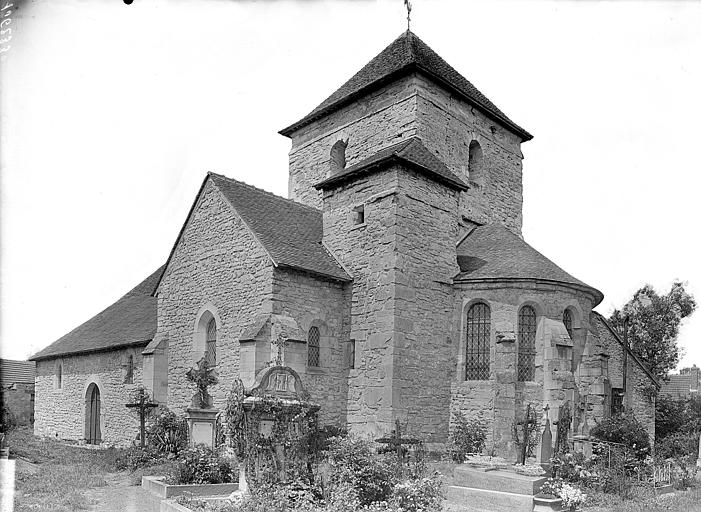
x=120 y=496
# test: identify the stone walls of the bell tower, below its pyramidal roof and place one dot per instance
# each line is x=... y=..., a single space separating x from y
x=415 y=106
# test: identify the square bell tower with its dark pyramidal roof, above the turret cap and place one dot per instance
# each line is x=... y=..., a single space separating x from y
x=407 y=91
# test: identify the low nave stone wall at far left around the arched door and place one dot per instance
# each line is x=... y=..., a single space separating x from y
x=61 y=412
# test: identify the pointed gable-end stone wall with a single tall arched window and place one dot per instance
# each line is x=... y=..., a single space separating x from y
x=217 y=265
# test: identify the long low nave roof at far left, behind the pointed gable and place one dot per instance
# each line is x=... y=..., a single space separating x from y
x=131 y=321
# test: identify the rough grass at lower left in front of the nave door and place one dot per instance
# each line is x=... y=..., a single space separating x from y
x=52 y=476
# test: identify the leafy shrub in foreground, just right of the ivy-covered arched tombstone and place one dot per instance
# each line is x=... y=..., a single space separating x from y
x=352 y=461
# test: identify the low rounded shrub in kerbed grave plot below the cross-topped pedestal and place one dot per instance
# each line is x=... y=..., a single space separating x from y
x=202 y=465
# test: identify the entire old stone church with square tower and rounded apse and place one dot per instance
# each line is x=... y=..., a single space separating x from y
x=395 y=272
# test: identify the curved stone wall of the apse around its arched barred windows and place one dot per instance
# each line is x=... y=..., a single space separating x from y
x=502 y=398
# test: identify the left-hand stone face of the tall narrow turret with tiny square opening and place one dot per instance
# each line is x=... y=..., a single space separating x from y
x=368 y=251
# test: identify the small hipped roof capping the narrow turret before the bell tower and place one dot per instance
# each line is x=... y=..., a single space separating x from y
x=411 y=152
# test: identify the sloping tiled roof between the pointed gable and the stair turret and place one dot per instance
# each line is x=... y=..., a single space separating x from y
x=290 y=232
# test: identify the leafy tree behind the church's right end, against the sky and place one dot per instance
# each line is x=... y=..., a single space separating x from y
x=654 y=325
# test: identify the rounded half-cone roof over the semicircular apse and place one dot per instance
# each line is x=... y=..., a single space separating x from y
x=493 y=252
